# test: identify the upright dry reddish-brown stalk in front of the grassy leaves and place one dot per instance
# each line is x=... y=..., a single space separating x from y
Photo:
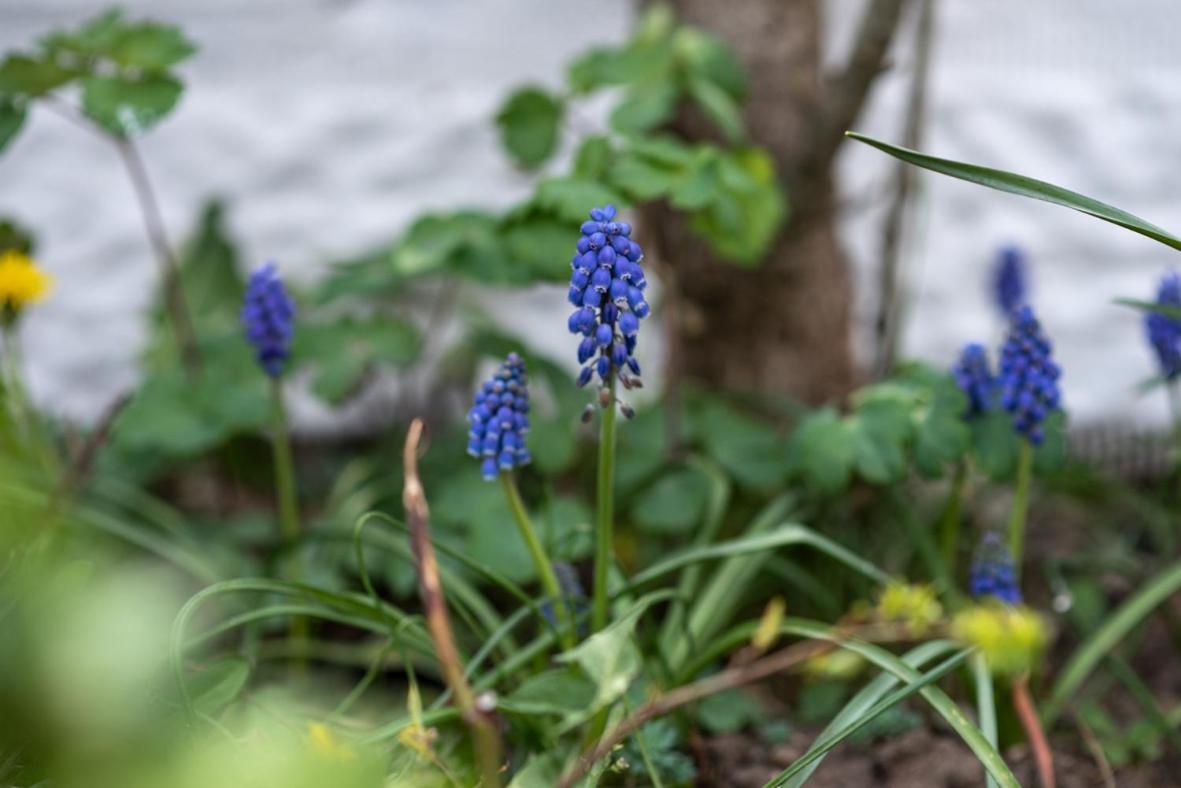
x=486 y=738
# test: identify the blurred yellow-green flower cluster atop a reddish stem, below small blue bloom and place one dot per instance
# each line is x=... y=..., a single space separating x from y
x=1012 y=639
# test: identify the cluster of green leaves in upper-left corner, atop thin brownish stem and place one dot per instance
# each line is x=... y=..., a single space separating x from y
x=123 y=68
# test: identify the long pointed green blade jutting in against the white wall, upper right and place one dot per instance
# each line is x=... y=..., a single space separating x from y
x=1026 y=187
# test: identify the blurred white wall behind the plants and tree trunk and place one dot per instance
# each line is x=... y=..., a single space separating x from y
x=330 y=125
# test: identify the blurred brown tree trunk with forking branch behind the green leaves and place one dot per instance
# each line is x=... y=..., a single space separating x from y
x=782 y=328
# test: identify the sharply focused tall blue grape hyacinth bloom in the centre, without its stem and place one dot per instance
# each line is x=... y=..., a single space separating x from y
x=608 y=288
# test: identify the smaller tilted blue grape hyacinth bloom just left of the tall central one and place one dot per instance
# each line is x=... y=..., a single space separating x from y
x=500 y=420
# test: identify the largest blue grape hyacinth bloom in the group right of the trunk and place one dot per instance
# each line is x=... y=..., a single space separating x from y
x=1029 y=376
